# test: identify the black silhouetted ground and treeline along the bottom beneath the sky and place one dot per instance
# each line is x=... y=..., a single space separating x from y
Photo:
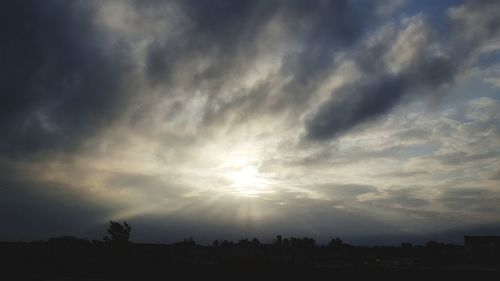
x=69 y=258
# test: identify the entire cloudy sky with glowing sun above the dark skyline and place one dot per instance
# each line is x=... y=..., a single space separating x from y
x=366 y=120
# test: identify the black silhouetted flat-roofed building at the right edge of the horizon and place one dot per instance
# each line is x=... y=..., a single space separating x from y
x=483 y=249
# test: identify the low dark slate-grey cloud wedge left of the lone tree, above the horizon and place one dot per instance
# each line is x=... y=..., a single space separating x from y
x=33 y=209
